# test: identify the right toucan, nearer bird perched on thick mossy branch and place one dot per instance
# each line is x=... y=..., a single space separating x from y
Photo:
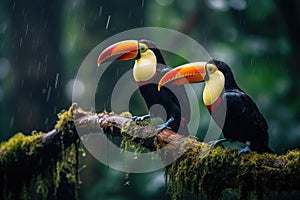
x=230 y=107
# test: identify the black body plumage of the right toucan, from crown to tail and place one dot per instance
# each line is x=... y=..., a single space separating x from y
x=237 y=115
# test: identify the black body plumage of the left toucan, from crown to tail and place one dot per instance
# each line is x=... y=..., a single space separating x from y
x=174 y=100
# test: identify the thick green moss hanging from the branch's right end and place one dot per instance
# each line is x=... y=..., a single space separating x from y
x=215 y=171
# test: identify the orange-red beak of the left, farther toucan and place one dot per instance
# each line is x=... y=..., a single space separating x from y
x=124 y=50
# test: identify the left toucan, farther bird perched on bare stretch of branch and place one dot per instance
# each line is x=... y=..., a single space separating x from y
x=171 y=104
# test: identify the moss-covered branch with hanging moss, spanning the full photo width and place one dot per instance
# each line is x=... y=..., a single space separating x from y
x=45 y=165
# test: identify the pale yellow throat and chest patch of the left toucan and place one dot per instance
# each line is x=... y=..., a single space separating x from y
x=145 y=67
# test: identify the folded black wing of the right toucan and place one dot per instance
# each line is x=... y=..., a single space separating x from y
x=244 y=120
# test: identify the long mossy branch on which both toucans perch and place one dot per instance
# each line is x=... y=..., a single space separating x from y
x=200 y=169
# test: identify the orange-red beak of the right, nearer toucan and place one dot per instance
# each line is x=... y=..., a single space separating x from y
x=187 y=73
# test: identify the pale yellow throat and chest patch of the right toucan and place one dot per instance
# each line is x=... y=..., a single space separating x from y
x=213 y=88
